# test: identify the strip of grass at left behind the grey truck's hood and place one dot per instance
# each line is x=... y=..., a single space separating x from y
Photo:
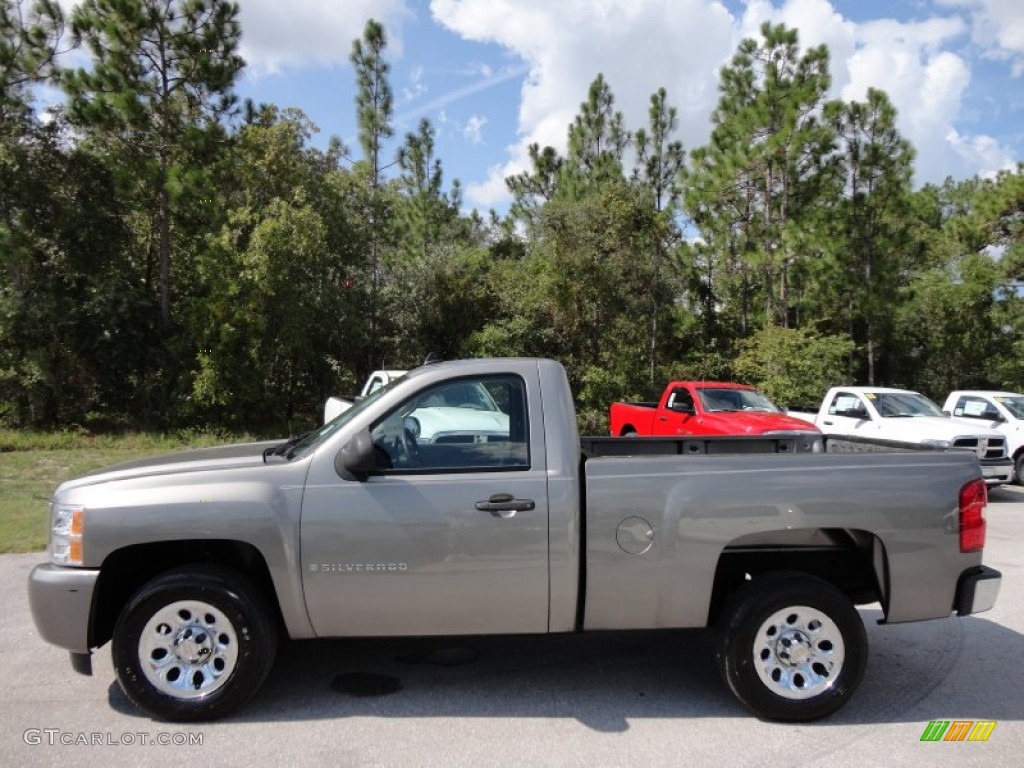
x=33 y=464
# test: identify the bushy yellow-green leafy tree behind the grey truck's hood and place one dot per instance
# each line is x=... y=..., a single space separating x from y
x=280 y=320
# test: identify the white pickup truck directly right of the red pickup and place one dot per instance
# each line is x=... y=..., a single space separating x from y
x=868 y=416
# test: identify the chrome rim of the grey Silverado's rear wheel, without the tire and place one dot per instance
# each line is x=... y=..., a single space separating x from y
x=799 y=653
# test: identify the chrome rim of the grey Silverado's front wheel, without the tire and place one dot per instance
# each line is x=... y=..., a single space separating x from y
x=189 y=650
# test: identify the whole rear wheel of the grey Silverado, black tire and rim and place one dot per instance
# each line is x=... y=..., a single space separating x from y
x=791 y=647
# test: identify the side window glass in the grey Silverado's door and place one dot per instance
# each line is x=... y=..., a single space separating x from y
x=471 y=424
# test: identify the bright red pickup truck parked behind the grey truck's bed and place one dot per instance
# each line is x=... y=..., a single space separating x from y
x=705 y=408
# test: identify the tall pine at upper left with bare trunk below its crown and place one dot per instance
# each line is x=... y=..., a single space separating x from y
x=160 y=80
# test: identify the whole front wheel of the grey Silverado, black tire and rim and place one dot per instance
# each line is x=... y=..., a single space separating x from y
x=195 y=644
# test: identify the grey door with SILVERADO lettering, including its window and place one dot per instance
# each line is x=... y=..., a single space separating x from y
x=450 y=535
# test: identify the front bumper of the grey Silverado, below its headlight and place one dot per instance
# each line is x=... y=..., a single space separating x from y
x=61 y=600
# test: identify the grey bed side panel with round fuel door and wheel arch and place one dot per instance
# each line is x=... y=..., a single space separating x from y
x=697 y=505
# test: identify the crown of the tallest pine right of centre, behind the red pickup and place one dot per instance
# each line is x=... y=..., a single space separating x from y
x=756 y=191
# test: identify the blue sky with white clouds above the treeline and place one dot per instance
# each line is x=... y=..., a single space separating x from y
x=494 y=76
